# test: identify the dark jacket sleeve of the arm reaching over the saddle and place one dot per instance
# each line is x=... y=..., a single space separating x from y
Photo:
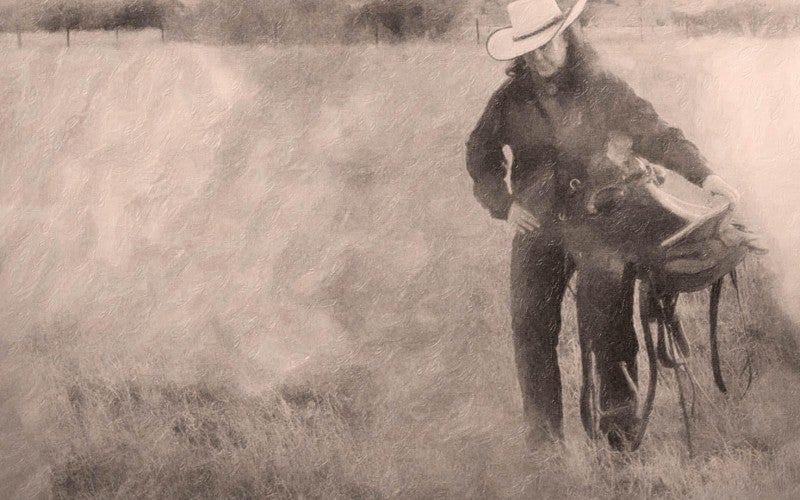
x=654 y=139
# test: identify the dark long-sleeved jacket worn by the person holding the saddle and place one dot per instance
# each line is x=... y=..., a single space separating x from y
x=544 y=122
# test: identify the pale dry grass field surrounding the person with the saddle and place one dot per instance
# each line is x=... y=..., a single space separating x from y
x=254 y=271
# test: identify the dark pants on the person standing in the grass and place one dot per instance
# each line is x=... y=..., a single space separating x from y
x=540 y=271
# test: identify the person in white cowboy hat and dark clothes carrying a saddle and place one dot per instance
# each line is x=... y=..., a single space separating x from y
x=559 y=105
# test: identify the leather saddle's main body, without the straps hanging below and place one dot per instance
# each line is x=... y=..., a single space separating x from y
x=652 y=217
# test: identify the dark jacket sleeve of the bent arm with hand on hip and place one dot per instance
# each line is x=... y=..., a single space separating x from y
x=486 y=163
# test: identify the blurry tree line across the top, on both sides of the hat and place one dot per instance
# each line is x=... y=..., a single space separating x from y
x=337 y=21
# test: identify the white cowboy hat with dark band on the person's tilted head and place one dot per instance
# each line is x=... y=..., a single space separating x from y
x=533 y=24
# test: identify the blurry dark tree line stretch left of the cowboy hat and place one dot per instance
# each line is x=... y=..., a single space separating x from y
x=243 y=21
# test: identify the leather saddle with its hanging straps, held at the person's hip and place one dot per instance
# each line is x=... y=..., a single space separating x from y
x=677 y=238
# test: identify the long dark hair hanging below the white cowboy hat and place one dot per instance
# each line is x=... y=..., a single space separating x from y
x=581 y=64
